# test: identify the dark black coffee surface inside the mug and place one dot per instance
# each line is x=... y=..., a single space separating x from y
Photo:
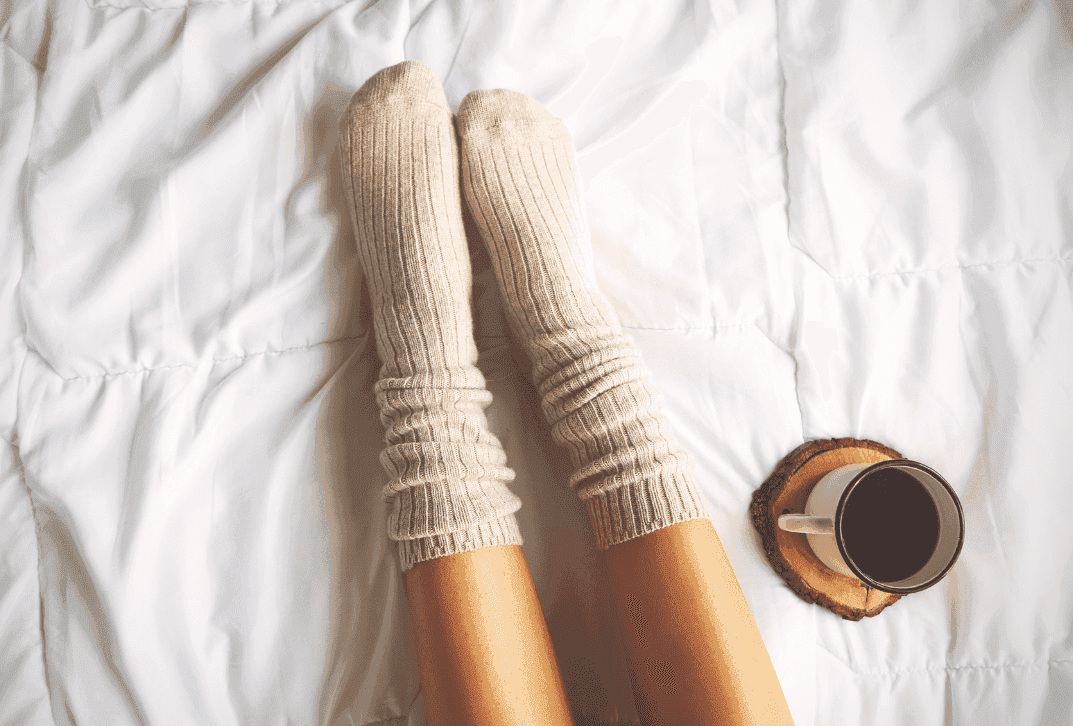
x=890 y=526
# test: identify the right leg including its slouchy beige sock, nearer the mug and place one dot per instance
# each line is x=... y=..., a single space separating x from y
x=696 y=654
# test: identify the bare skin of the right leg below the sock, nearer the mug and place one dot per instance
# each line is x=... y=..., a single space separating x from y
x=696 y=654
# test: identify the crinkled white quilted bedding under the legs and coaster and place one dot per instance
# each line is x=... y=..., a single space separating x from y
x=817 y=218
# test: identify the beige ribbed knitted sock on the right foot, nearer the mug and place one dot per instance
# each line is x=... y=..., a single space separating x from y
x=520 y=181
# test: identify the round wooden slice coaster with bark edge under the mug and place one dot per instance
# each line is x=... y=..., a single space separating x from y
x=786 y=492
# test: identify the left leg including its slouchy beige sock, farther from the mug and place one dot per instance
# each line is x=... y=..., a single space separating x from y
x=483 y=647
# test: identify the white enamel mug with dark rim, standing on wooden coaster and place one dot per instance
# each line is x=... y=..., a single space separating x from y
x=824 y=523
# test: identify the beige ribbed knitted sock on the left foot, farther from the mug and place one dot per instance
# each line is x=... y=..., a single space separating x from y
x=448 y=479
